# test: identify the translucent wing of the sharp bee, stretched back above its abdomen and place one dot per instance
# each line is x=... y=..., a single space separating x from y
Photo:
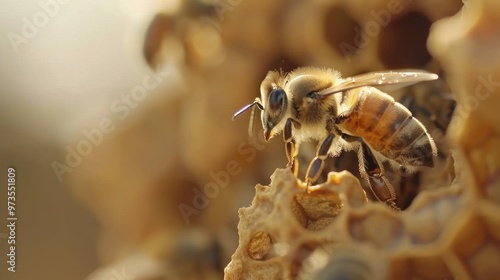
x=401 y=77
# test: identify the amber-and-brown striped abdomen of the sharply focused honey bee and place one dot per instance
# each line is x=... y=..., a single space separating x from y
x=390 y=128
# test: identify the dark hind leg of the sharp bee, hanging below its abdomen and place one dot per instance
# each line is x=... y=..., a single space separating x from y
x=372 y=171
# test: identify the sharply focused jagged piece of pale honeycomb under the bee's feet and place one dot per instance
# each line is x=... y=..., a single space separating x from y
x=277 y=250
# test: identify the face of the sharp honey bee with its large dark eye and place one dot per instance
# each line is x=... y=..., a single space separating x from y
x=274 y=111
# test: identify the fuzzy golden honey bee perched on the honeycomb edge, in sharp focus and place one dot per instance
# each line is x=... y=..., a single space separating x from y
x=345 y=114
